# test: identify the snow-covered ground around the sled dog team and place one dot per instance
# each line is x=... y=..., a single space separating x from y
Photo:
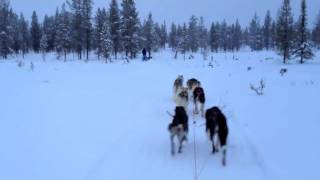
x=92 y=121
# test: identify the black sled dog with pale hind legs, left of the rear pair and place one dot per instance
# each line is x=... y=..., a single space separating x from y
x=178 y=128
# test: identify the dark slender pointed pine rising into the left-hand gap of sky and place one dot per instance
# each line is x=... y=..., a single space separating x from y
x=35 y=32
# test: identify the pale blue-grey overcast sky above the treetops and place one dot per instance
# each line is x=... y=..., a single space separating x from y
x=180 y=10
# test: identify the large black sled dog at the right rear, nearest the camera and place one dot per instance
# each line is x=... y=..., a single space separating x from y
x=217 y=130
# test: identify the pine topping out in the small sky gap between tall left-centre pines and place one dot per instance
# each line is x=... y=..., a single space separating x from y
x=100 y=21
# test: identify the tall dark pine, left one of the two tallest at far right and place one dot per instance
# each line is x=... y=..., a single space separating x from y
x=284 y=35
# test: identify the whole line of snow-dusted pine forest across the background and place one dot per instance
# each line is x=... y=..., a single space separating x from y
x=118 y=30
